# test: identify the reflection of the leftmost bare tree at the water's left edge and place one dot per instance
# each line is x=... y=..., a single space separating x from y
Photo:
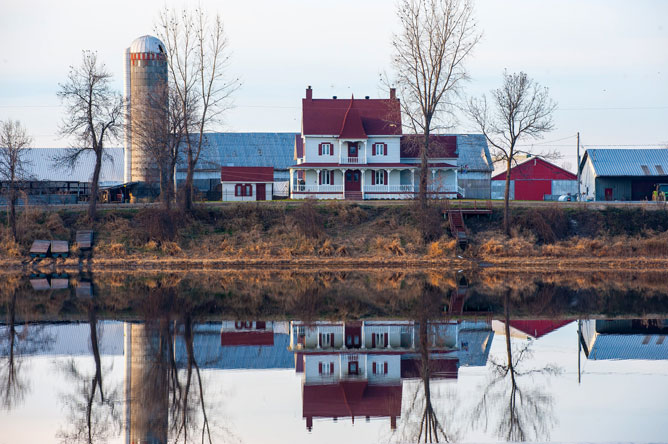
x=16 y=340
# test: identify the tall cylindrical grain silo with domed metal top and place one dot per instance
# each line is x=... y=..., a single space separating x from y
x=146 y=107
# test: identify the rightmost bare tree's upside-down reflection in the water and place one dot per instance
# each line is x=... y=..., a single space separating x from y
x=525 y=414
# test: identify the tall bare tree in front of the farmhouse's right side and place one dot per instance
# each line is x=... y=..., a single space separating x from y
x=435 y=38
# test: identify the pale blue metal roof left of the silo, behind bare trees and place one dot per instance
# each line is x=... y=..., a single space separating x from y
x=41 y=165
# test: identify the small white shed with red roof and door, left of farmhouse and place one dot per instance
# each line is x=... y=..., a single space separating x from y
x=247 y=183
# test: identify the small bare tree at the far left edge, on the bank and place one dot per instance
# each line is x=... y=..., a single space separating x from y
x=14 y=143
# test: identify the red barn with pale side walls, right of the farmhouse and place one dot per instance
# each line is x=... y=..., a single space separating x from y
x=535 y=179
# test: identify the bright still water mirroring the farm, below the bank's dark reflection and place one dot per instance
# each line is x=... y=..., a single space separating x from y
x=443 y=371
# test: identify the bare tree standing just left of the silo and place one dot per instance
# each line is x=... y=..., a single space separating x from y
x=94 y=113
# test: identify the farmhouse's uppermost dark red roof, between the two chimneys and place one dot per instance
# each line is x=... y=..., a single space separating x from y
x=378 y=117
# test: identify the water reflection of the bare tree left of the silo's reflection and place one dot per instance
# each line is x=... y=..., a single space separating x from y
x=92 y=410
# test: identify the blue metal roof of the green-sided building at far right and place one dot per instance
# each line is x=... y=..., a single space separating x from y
x=628 y=162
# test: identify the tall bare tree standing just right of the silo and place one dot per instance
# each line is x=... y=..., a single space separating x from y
x=198 y=55
